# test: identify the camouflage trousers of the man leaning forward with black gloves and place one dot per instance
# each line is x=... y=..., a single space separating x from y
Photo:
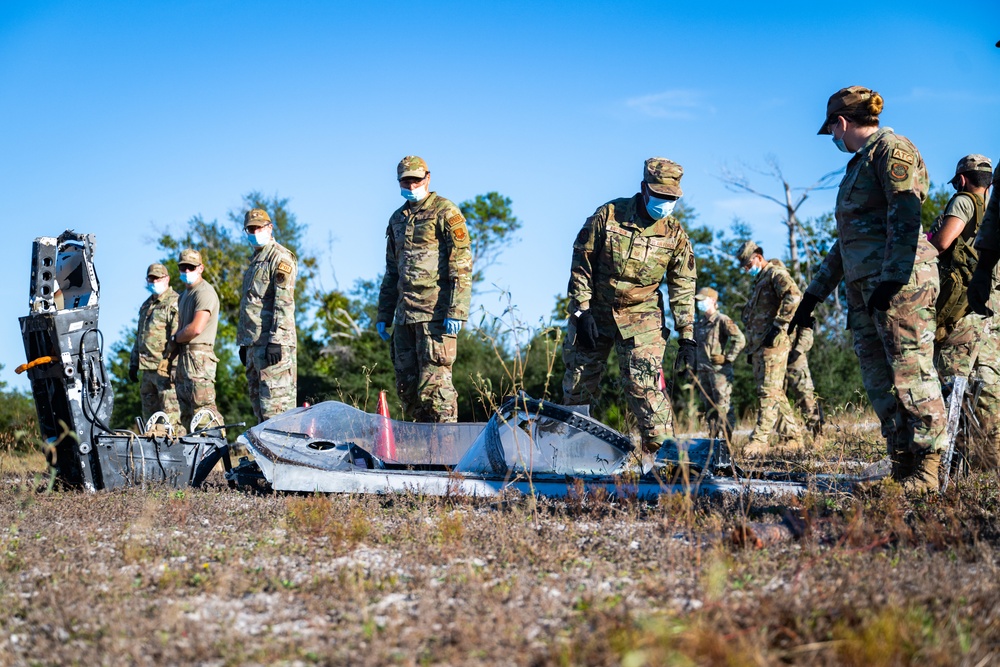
x=640 y=360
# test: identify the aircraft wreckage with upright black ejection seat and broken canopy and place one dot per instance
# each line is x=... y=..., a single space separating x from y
x=527 y=446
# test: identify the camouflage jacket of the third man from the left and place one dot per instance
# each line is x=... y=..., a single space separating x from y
x=267 y=306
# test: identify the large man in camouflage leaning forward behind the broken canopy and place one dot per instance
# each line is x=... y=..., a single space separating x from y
x=620 y=257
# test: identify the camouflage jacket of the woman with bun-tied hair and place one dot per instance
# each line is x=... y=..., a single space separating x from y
x=879 y=237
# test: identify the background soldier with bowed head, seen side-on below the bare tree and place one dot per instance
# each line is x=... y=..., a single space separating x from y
x=765 y=318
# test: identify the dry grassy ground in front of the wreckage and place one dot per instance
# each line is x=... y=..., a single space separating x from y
x=216 y=577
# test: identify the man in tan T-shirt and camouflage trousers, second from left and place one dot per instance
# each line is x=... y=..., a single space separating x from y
x=194 y=342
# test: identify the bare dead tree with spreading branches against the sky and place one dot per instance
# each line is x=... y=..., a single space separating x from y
x=790 y=200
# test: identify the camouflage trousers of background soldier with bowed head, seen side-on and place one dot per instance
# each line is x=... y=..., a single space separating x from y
x=775 y=414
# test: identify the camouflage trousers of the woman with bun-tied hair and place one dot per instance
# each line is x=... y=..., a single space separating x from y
x=895 y=349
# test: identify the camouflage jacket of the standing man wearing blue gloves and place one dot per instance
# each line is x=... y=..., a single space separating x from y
x=428 y=264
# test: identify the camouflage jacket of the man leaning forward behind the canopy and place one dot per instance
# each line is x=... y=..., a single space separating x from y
x=620 y=257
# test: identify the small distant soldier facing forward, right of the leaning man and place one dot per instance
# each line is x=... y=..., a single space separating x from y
x=720 y=342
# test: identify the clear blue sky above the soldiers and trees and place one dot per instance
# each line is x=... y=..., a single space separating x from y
x=124 y=119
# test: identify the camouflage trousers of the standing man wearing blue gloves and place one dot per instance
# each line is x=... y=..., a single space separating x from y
x=423 y=355
